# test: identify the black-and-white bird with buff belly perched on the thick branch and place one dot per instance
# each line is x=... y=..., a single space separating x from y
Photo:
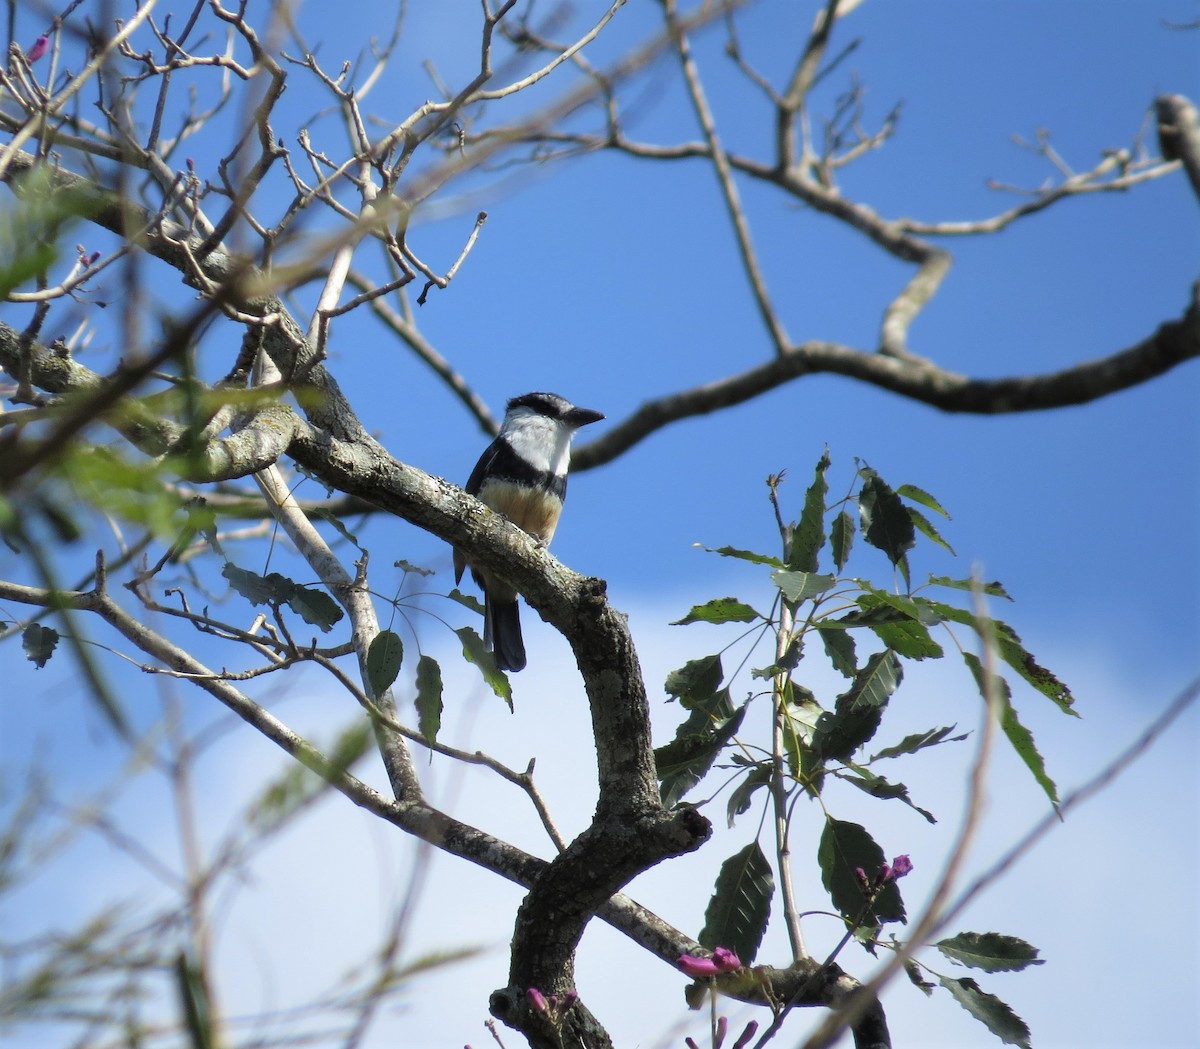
x=523 y=475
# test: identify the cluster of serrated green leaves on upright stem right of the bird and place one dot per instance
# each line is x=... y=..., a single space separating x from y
x=868 y=633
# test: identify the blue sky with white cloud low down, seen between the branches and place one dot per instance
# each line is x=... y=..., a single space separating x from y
x=613 y=281
